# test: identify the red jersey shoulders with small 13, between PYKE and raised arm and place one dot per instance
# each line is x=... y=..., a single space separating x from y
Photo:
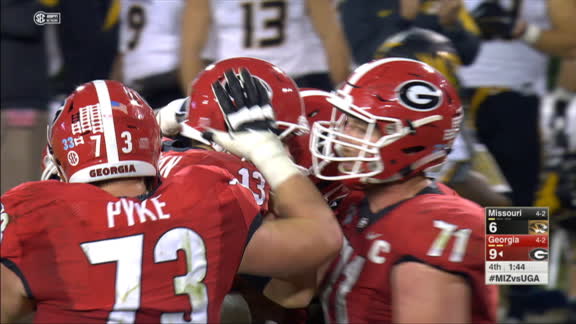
x=172 y=161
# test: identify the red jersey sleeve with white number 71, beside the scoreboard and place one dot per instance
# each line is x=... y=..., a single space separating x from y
x=448 y=234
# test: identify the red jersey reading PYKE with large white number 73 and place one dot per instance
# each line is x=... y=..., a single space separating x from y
x=86 y=256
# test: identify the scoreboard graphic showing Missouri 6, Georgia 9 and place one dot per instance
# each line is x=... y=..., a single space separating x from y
x=517 y=245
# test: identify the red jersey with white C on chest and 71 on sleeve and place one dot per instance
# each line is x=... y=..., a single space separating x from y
x=436 y=227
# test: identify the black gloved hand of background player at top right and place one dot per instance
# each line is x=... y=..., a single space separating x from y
x=494 y=21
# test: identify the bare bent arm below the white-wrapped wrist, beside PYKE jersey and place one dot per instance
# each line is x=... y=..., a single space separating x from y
x=304 y=236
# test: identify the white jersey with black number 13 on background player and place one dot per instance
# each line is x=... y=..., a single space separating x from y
x=278 y=31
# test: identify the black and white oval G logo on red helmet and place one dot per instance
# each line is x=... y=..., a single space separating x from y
x=419 y=95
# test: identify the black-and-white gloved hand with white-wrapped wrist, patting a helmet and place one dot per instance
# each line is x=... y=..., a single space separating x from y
x=251 y=127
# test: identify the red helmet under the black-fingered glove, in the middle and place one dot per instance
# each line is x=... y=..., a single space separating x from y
x=205 y=112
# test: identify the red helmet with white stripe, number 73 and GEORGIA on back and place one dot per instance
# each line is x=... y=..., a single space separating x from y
x=104 y=131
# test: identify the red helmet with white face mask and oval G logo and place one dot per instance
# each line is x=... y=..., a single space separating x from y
x=414 y=108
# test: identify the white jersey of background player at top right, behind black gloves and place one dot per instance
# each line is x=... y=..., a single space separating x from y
x=511 y=64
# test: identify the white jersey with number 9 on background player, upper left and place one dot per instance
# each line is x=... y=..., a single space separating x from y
x=150 y=37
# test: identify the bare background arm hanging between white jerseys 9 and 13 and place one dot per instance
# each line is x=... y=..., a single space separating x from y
x=196 y=21
